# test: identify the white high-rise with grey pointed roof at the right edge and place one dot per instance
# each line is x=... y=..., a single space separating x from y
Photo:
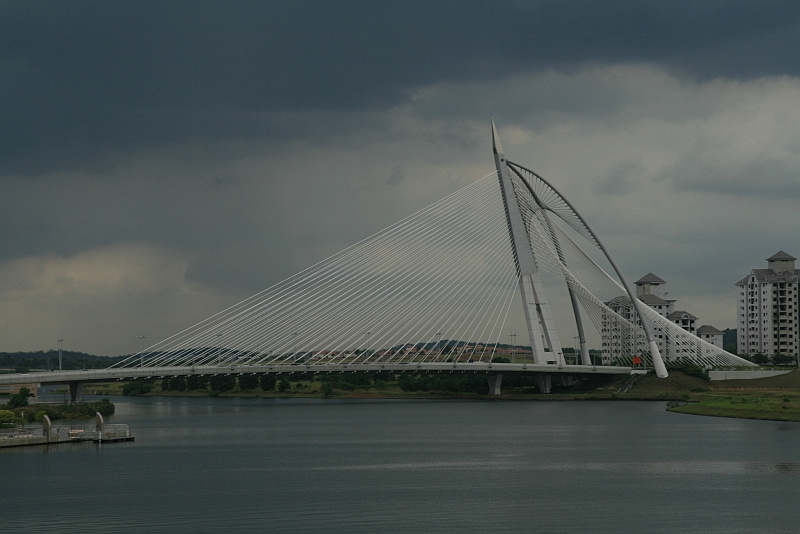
x=768 y=309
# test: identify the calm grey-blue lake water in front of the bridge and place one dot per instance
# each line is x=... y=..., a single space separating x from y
x=238 y=465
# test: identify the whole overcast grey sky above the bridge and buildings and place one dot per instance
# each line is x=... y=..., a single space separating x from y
x=160 y=161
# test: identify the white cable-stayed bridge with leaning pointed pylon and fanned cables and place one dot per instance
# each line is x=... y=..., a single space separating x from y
x=438 y=292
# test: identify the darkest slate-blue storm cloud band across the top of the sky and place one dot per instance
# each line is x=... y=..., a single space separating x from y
x=85 y=81
